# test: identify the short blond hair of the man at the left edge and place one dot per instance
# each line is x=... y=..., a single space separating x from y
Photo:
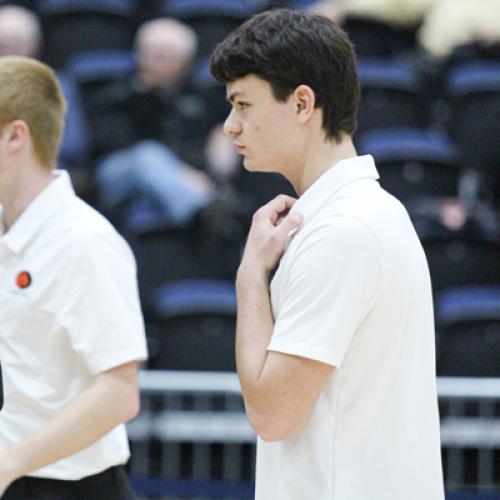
x=29 y=91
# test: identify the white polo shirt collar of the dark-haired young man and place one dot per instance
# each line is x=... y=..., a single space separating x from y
x=334 y=179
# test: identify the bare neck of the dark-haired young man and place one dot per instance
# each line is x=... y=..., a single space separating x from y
x=319 y=158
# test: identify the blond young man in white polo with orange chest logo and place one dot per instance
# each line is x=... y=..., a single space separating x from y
x=71 y=329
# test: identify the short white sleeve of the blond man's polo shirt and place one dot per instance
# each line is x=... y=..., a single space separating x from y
x=101 y=309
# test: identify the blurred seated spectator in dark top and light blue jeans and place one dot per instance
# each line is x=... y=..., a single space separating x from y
x=155 y=130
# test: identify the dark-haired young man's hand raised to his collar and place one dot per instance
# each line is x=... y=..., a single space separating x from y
x=269 y=233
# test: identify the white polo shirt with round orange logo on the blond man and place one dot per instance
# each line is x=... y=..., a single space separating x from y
x=69 y=309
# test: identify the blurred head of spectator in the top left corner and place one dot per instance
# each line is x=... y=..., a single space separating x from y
x=20 y=32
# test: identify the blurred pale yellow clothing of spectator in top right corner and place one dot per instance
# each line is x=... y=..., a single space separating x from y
x=452 y=23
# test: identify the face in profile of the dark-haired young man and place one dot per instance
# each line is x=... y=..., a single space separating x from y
x=261 y=127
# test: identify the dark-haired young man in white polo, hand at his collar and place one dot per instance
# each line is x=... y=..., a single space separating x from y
x=336 y=356
